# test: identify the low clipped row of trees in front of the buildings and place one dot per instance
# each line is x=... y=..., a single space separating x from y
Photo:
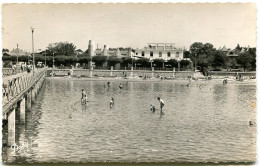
x=100 y=61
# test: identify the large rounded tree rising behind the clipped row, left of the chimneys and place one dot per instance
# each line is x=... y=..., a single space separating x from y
x=62 y=48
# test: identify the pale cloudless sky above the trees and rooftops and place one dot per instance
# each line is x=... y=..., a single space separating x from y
x=128 y=25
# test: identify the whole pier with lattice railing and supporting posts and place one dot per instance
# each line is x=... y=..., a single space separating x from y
x=19 y=92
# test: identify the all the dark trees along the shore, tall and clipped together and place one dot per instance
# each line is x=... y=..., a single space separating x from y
x=204 y=56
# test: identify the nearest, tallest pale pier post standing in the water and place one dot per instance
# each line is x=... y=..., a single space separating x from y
x=11 y=128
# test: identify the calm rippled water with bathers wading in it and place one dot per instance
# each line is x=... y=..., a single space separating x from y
x=206 y=123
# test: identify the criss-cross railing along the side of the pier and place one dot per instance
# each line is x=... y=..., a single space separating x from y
x=15 y=85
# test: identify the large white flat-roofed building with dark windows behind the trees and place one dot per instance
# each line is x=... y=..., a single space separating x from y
x=164 y=51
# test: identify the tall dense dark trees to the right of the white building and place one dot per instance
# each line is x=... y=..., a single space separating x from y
x=206 y=56
